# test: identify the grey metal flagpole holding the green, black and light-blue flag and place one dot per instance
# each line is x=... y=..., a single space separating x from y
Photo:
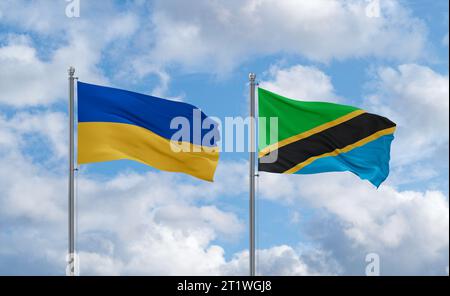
x=252 y=78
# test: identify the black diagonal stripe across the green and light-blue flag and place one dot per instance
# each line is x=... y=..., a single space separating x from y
x=336 y=137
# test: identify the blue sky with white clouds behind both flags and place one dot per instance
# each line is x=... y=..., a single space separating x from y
x=133 y=220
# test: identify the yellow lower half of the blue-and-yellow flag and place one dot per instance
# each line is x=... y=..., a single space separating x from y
x=108 y=141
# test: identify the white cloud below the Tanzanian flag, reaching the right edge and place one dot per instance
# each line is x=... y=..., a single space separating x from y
x=409 y=228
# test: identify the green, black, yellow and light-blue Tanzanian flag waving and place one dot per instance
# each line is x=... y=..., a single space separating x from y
x=317 y=137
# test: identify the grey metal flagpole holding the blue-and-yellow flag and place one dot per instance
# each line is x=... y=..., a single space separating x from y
x=71 y=254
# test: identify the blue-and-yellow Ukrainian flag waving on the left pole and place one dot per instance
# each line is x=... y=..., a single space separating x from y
x=116 y=124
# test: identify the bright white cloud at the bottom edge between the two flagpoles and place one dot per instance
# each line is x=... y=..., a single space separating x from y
x=159 y=249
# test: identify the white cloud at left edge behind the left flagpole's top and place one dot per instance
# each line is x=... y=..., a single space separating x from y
x=27 y=80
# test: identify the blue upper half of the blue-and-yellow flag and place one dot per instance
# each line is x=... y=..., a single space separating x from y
x=106 y=104
